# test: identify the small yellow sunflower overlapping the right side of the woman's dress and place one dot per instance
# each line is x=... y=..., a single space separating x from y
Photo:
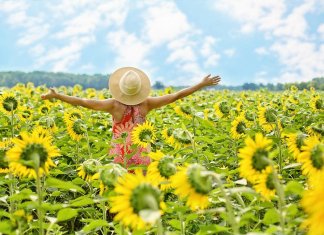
x=143 y=134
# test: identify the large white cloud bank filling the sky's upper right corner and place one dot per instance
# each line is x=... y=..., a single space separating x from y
x=287 y=28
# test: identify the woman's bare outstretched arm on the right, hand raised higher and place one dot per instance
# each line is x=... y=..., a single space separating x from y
x=157 y=102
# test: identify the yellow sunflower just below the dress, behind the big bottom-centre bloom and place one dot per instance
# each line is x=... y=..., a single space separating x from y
x=161 y=169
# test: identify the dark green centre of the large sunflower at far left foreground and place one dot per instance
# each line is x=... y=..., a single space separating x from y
x=31 y=150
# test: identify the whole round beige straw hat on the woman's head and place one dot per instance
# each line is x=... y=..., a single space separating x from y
x=129 y=85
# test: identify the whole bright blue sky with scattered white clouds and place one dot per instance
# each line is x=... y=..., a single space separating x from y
x=177 y=42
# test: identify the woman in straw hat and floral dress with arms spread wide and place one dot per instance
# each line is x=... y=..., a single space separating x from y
x=130 y=88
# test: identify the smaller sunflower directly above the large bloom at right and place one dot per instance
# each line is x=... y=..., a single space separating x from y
x=267 y=118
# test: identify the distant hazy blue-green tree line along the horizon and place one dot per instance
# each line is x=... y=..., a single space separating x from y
x=100 y=81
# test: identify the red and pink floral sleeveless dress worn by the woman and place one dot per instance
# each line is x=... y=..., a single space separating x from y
x=131 y=118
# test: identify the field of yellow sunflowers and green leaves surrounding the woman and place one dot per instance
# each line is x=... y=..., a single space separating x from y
x=222 y=162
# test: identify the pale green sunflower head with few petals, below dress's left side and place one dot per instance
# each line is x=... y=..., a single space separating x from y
x=109 y=175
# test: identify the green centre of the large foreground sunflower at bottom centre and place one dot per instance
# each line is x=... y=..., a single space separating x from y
x=145 y=197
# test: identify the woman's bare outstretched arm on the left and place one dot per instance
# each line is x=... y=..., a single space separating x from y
x=101 y=105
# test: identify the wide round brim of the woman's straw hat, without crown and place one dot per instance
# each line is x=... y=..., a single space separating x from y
x=129 y=99
